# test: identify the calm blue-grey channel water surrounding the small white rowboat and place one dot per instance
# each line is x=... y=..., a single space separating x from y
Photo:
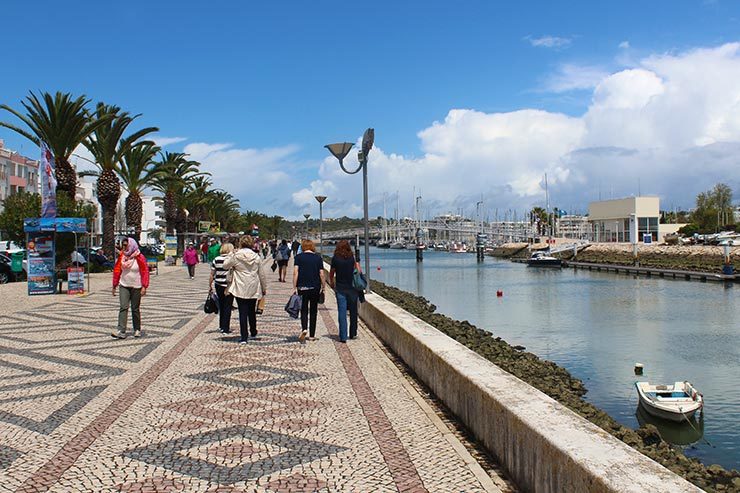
x=597 y=325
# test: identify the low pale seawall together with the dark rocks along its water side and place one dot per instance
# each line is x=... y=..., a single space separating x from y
x=504 y=421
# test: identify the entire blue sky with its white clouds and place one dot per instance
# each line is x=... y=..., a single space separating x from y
x=470 y=101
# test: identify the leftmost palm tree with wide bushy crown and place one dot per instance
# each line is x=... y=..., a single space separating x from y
x=63 y=123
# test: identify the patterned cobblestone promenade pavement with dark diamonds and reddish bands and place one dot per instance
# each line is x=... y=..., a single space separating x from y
x=185 y=408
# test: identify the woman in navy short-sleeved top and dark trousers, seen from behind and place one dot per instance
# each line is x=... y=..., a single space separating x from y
x=308 y=281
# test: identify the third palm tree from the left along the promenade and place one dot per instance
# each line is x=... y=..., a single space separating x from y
x=136 y=171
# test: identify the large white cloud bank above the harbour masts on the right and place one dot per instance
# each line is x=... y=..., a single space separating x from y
x=672 y=122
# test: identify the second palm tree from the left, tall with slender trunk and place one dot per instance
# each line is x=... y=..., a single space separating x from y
x=108 y=146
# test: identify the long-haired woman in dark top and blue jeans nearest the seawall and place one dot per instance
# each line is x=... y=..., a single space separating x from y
x=343 y=265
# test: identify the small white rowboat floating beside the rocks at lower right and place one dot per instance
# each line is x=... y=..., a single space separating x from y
x=672 y=402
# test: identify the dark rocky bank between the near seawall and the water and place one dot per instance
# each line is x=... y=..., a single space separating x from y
x=559 y=384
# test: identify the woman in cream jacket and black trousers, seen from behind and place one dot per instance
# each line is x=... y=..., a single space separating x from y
x=247 y=284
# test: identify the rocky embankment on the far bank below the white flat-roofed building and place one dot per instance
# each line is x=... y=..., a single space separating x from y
x=698 y=258
